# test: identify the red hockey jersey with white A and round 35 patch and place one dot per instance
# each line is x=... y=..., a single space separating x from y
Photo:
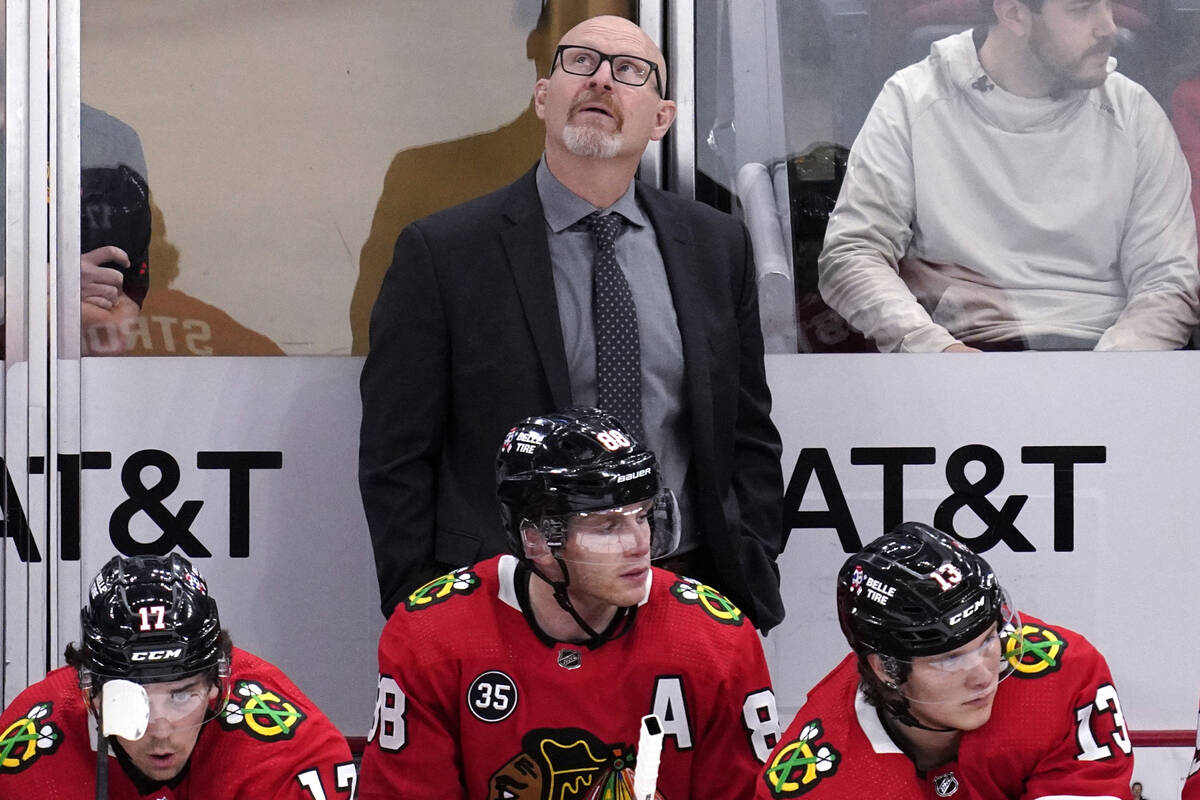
x=473 y=705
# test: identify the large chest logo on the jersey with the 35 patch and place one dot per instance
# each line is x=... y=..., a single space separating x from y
x=566 y=765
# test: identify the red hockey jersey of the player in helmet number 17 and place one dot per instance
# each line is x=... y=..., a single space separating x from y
x=271 y=742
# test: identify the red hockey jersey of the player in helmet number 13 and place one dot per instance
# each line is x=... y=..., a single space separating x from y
x=1057 y=731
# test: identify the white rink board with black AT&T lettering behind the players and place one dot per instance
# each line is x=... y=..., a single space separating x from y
x=307 y=597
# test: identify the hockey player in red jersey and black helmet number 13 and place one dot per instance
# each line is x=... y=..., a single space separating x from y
x=949 y=693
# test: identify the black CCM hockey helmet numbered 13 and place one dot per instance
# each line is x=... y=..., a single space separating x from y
x=917 y=592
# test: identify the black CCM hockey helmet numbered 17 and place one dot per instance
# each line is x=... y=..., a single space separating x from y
x=151 y=619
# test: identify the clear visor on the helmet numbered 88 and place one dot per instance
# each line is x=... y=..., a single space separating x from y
x=650 y=528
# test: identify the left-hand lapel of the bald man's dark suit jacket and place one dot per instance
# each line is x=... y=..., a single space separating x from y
x=529 y=254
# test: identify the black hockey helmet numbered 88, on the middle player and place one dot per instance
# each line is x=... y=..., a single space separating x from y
x=578 y=461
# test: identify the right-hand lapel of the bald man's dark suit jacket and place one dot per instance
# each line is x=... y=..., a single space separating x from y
x=682 y=261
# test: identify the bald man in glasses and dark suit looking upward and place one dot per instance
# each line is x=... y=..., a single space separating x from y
x=485 y=317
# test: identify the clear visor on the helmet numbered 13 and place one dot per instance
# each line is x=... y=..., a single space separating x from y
x=968 y=673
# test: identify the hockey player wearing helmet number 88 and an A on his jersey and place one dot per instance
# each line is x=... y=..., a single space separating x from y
x=526 y=676
